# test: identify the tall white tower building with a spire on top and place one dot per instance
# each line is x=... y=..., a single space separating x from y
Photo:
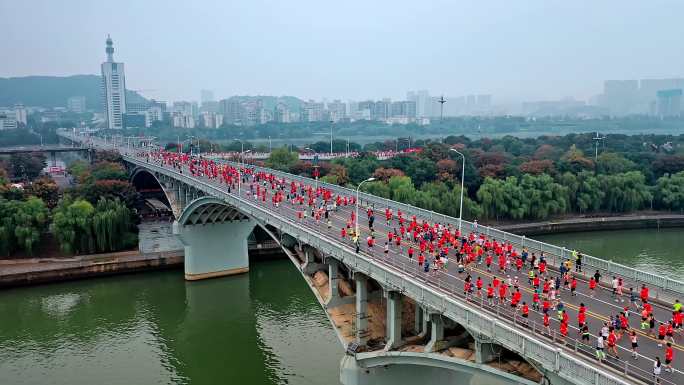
x=113 y=89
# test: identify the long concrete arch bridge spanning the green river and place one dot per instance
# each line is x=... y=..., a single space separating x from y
x=397 y=322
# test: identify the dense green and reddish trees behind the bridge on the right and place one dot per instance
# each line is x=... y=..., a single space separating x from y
x=519 y=179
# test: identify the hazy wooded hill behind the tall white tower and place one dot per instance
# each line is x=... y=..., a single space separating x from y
x=53 y=91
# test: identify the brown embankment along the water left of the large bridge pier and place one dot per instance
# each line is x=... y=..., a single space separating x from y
x=21 y=272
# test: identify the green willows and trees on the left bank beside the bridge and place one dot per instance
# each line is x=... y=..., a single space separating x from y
x=95 y=215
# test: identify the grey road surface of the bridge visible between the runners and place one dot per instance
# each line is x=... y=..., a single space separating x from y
x=600 y=307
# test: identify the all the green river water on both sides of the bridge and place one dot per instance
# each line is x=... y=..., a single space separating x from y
x=265 y=327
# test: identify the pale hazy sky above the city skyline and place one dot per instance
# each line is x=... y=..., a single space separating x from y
x=513 y=49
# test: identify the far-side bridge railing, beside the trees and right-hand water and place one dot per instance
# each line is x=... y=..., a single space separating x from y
x=667 y=289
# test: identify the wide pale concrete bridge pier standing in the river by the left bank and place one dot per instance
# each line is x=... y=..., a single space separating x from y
x=215 y=249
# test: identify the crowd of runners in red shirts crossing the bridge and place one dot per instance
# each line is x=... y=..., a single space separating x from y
x=494 y=272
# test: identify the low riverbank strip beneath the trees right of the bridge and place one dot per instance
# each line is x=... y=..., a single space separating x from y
x=572 y=225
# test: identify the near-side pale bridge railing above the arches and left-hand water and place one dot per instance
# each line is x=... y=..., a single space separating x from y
x=549 y=356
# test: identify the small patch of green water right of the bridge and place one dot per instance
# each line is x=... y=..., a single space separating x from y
x=656 y=251
